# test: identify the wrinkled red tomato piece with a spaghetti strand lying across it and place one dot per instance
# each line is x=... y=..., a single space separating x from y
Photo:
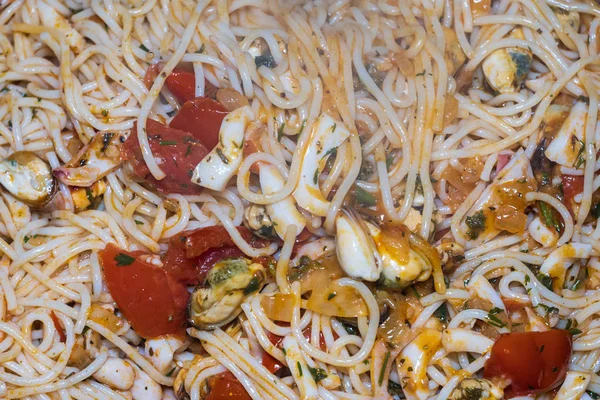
x=178 y=151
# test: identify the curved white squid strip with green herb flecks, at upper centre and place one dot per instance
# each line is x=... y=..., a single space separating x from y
x=326 y=136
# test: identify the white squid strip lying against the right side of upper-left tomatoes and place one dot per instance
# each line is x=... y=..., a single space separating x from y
x=222 y=163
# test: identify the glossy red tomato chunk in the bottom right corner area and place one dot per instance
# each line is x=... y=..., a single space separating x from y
x=535 y=362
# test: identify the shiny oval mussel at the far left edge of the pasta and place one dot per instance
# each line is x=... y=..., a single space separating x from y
x=29 y=178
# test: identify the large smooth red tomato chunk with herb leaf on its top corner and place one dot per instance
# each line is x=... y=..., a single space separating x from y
x=153 y=302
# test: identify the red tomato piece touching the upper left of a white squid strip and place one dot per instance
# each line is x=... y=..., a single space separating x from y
x=202 y=117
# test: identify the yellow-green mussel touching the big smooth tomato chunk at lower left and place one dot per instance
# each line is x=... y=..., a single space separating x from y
x=217 y=301
